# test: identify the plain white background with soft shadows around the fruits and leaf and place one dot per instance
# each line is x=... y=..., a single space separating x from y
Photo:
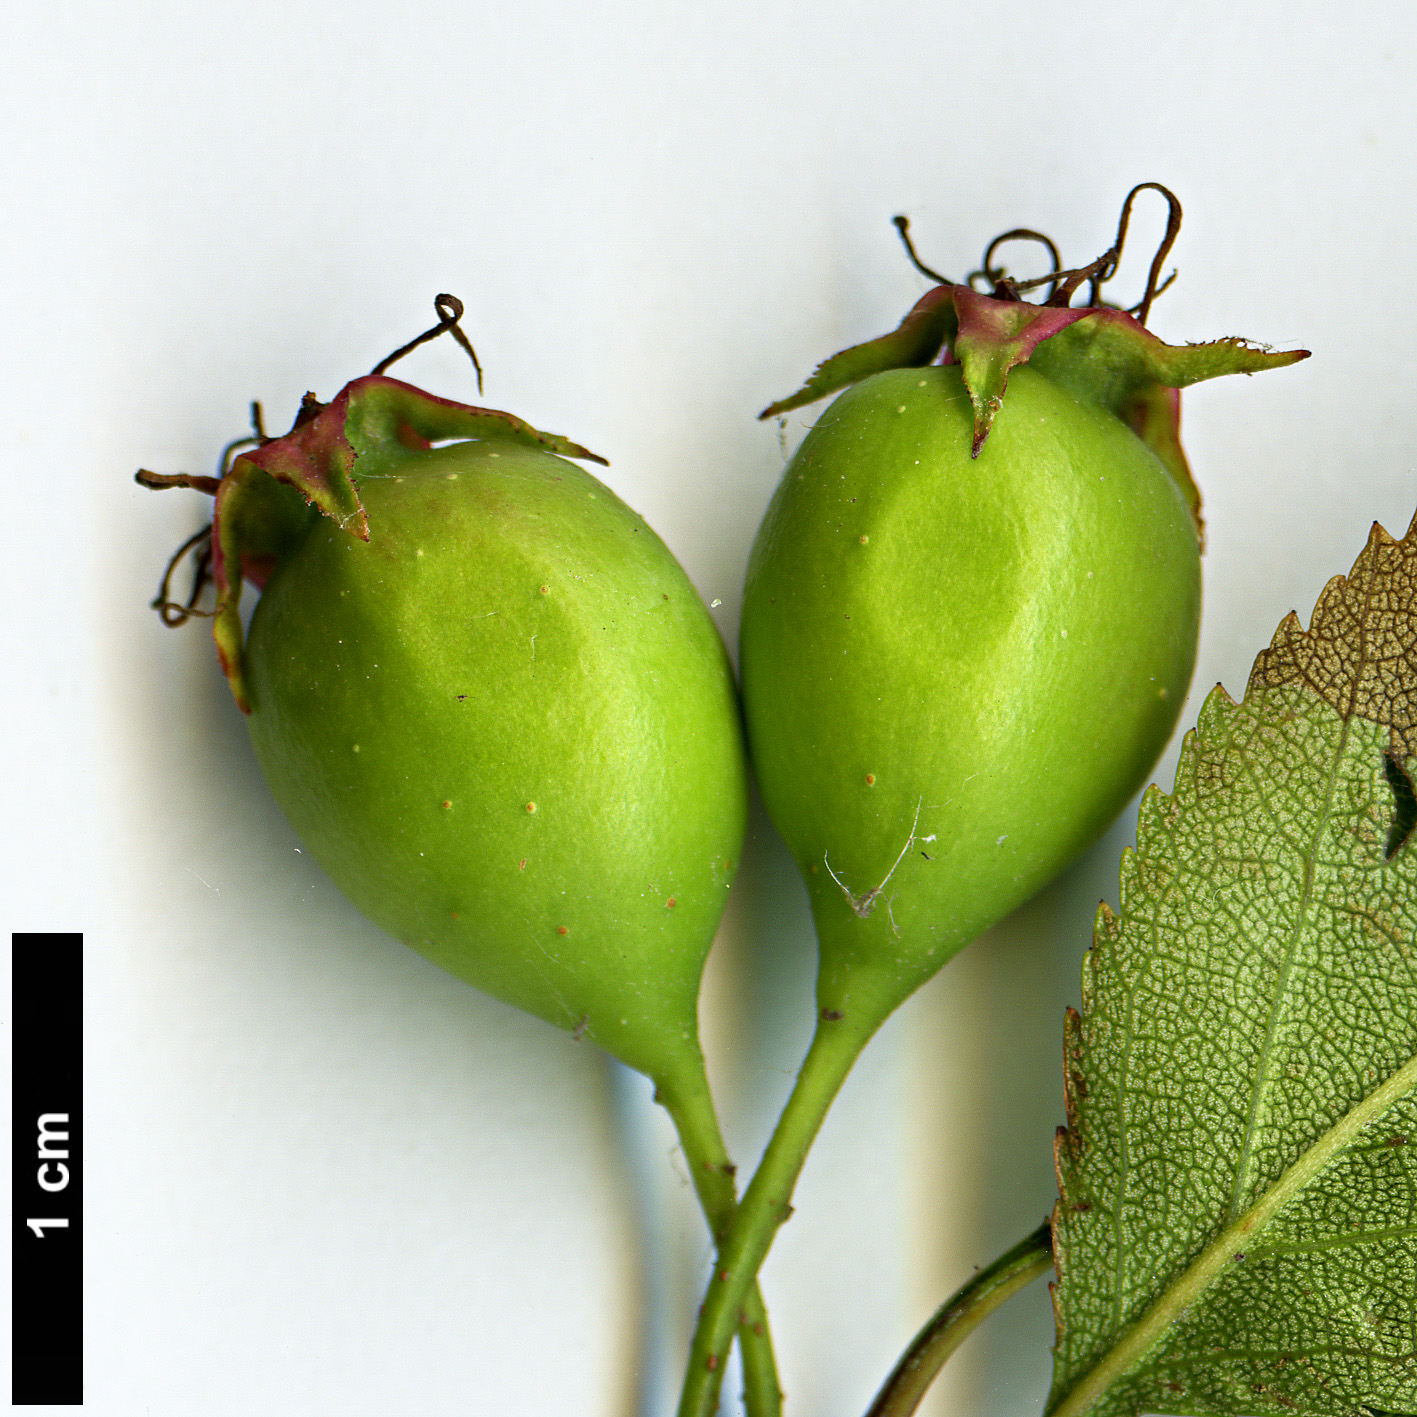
x=325 y=1178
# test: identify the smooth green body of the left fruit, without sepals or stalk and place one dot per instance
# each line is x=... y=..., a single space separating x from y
x=512 y=634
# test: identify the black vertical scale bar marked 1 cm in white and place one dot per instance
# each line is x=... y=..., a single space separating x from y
x=47 y=1275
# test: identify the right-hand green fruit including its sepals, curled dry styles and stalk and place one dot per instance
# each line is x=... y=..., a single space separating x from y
x=969 y=626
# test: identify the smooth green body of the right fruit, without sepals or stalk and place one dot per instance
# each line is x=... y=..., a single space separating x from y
x=1001 y=644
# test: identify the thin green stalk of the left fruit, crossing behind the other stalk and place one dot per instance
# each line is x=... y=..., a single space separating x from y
x=691 y=1109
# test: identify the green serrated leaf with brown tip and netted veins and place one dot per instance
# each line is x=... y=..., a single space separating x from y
x=1238 y=1226
